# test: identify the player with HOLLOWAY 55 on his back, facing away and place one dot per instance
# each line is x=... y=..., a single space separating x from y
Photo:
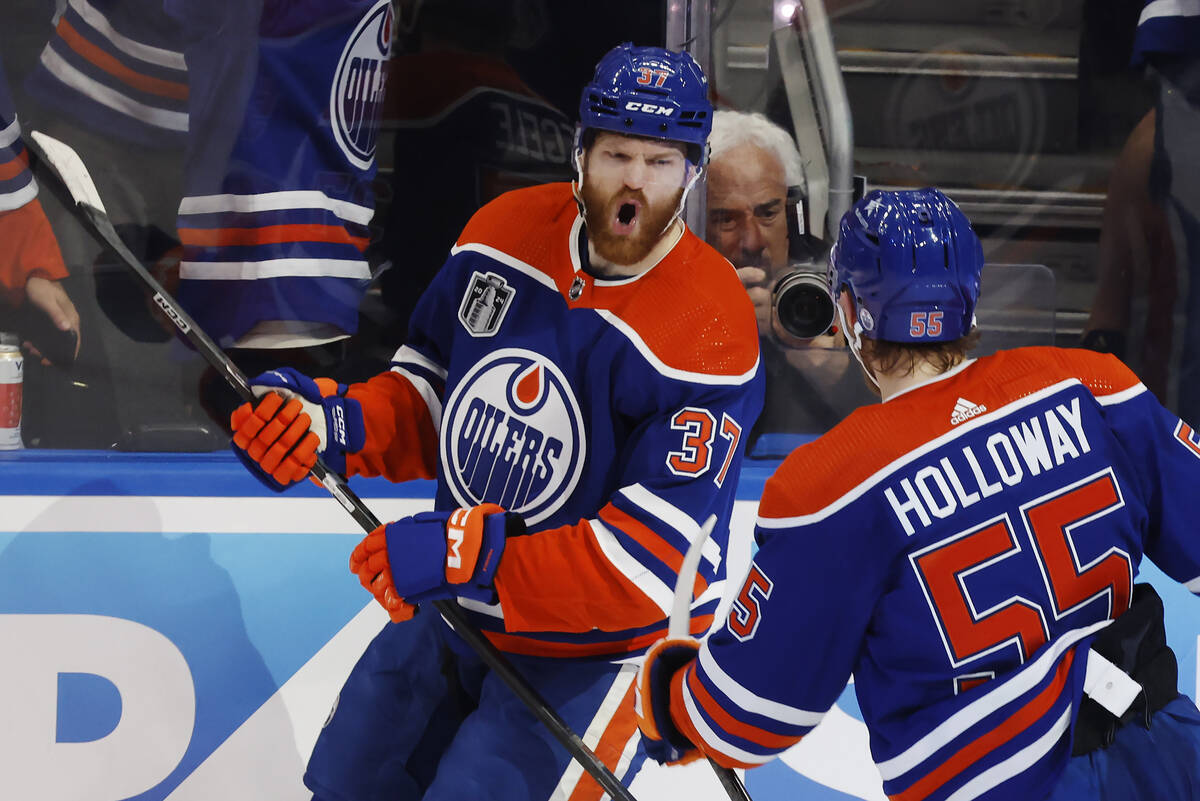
x=967 y=550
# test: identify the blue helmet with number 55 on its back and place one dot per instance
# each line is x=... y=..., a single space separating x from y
x=911 y=262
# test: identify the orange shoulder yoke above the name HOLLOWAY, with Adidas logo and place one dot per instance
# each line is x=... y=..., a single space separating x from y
x=872 y=438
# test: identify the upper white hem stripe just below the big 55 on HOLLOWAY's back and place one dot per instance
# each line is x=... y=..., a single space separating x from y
x=985 y=706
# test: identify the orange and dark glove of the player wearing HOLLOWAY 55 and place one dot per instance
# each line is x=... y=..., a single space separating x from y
x=663 y=668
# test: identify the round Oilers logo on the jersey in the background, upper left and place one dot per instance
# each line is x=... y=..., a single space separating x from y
x=359 y=82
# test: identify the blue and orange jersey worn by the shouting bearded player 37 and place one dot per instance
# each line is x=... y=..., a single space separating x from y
x=611 y=417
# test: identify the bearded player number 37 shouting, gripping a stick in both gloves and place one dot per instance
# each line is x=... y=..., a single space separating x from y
x=578 y=378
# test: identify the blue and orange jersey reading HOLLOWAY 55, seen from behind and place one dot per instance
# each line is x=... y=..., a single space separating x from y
x=956 y=550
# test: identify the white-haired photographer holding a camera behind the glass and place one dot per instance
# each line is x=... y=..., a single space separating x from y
x=757 y=221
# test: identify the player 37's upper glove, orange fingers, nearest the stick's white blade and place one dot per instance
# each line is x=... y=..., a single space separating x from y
x=297 y=419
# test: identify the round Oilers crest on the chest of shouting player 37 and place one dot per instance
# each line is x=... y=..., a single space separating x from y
x=513 y=435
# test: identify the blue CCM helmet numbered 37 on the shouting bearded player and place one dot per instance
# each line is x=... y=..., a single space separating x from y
x=650 y=92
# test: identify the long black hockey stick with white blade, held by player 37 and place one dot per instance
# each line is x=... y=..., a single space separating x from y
x=73 y=177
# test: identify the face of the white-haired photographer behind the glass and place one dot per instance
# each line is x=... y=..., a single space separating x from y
x=747 y=208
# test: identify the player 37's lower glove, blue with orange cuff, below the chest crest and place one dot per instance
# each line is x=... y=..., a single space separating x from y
x=436 y=556
